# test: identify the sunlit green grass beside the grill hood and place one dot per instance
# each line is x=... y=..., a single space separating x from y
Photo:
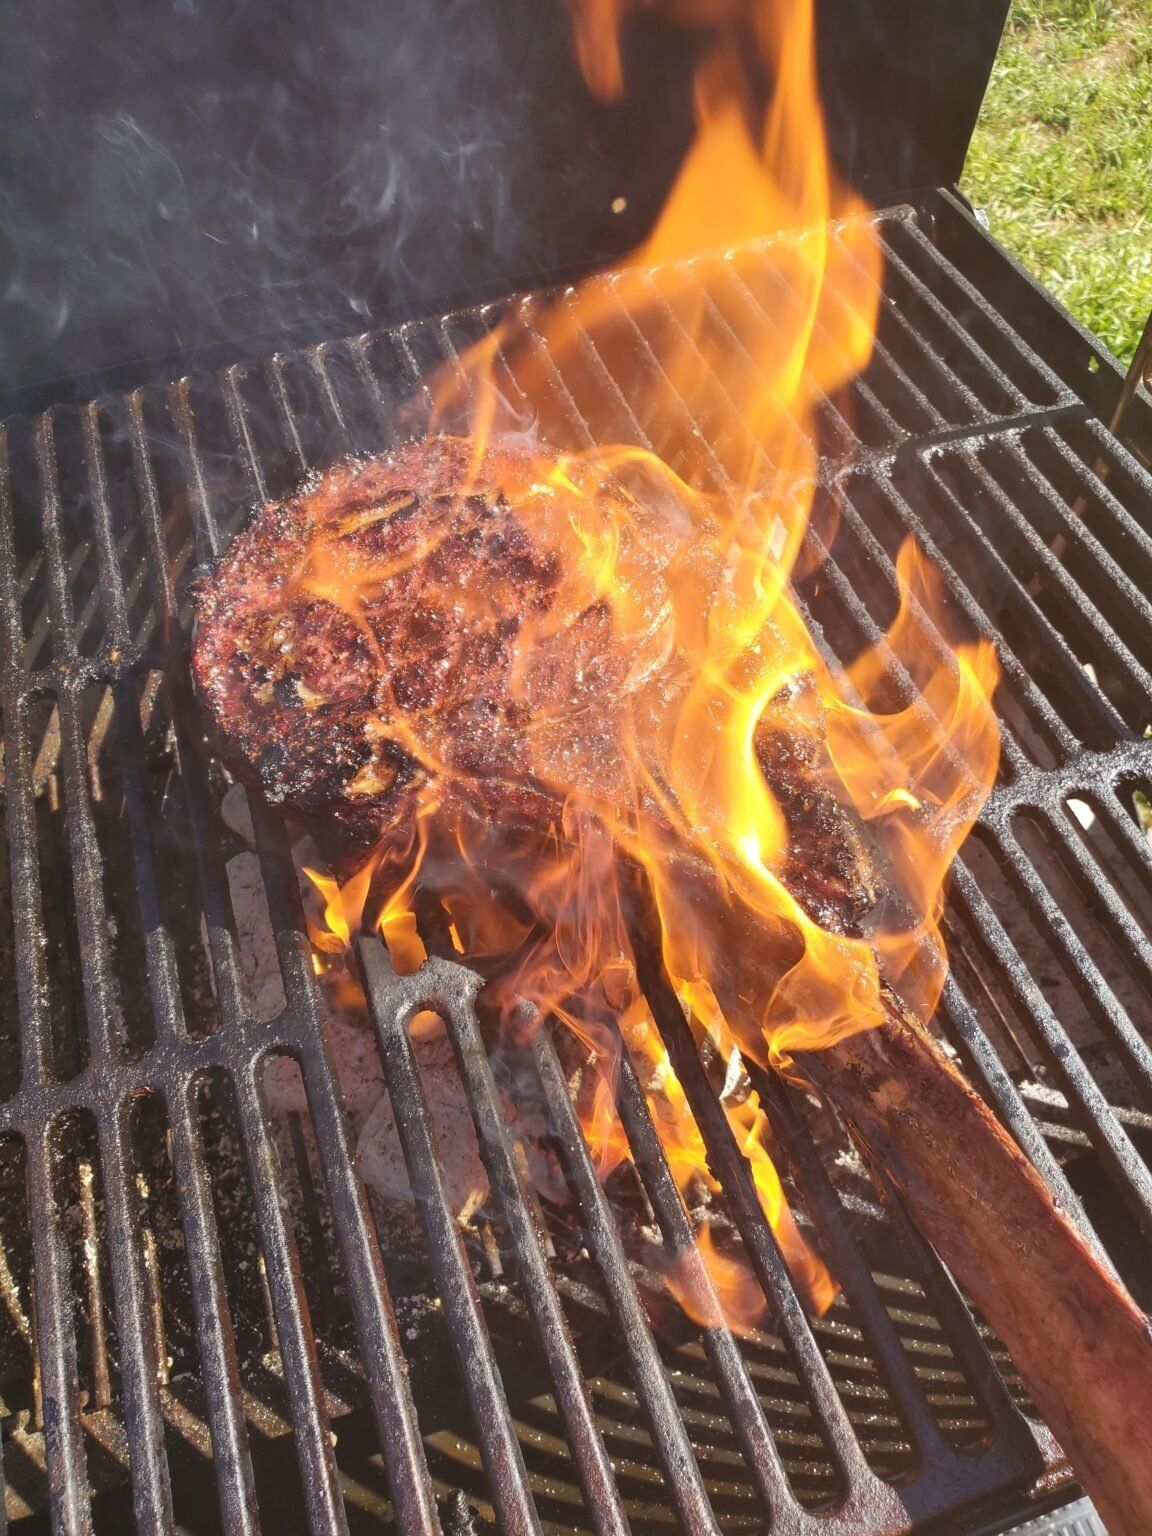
x=1062 y=157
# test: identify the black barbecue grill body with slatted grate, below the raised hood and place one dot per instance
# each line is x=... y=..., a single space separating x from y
x=210 y=1322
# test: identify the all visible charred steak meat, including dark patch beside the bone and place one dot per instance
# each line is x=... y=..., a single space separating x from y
x=425 y=620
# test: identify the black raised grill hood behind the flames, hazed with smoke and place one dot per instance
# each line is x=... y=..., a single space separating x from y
x=216 y=177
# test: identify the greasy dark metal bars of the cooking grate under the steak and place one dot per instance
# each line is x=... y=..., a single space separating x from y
x=947 y=1481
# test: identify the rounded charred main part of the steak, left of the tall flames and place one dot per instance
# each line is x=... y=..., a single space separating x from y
x=365 y=637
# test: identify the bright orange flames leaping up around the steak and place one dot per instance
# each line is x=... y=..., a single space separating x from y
x=692 y=558
